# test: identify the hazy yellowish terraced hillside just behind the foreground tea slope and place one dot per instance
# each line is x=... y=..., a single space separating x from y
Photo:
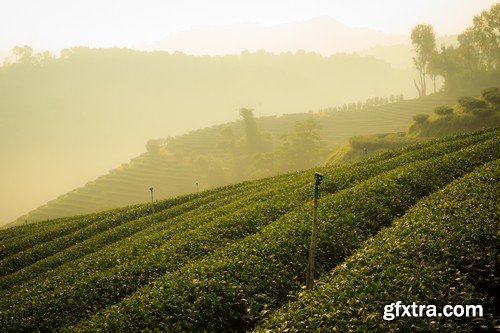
x=174 y=173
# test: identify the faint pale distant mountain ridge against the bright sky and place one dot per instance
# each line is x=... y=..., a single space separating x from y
x=323 y=35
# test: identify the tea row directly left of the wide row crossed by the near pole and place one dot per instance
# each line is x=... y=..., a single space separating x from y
x=82 y=292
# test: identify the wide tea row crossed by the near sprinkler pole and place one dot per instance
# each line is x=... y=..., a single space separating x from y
x=229 y=289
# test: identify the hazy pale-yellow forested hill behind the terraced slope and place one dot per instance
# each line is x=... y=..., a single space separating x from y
x=66 y=119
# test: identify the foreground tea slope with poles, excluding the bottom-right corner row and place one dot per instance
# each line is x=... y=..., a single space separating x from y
x=217 y=258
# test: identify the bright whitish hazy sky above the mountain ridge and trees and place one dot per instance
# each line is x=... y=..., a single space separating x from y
x=54 y=24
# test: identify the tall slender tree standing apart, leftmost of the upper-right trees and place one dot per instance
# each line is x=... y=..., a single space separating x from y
x=424 y=42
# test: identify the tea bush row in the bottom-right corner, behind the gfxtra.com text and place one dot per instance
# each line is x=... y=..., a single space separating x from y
x=444 y=251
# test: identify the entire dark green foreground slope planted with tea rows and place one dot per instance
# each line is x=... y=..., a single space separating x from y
x=231 y=257
